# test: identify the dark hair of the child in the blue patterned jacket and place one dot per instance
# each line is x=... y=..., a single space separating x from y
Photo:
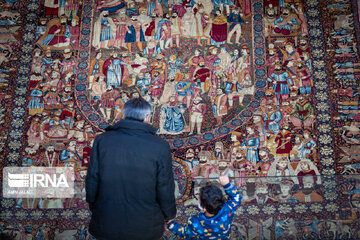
x=211 y=198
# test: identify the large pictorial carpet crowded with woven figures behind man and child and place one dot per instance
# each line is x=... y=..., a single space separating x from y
x=263 y=91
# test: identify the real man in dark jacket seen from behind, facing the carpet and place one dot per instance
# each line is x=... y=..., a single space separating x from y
x=130 y=184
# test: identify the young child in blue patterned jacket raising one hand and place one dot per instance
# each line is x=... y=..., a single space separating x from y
x=215 y=220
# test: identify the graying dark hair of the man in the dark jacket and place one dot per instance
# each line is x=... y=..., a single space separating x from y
x=137 y=109
